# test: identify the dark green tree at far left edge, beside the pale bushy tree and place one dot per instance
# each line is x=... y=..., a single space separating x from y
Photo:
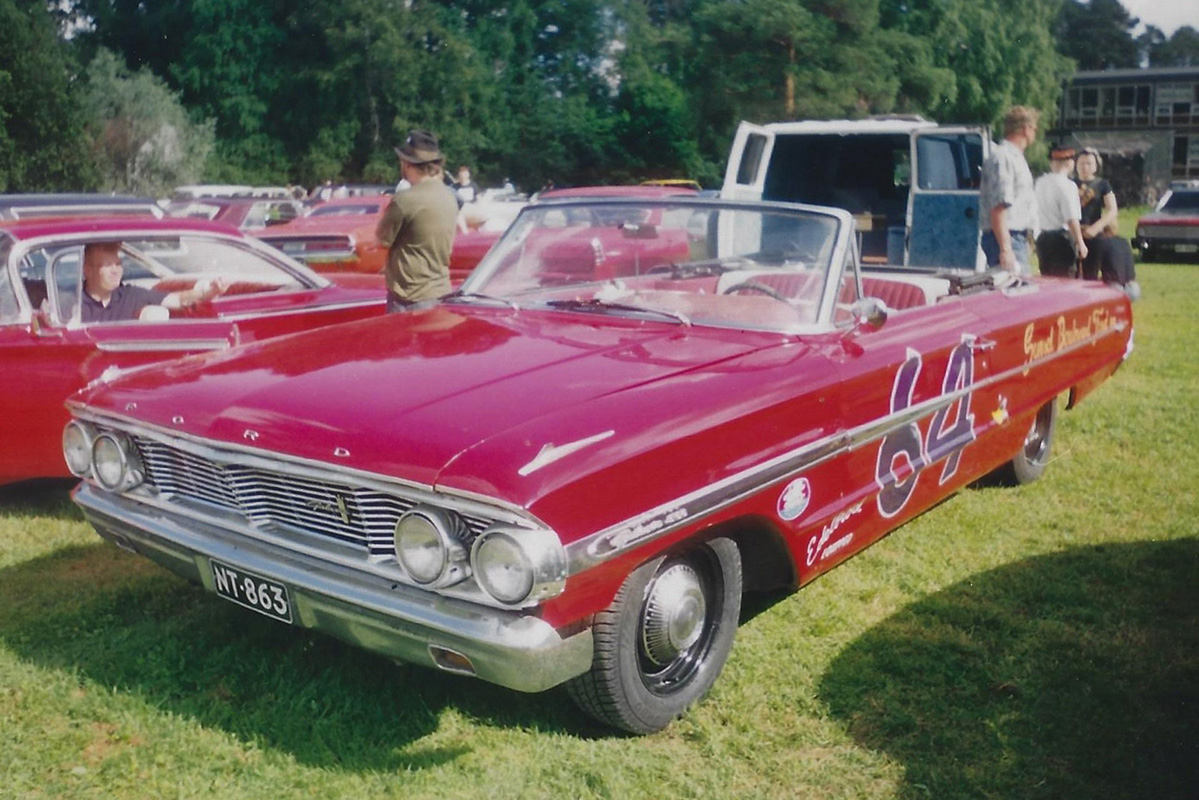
x=40 y=121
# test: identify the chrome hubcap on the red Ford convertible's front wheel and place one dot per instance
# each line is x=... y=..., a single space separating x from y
x=676 y=615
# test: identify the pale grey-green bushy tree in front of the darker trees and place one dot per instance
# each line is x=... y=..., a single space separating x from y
x=142 y=137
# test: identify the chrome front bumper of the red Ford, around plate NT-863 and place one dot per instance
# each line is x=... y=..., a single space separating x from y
x=400 y=622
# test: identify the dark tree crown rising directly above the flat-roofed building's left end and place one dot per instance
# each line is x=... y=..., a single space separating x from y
x=1098 y=35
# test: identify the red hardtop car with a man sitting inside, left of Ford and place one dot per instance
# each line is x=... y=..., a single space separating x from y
x=50 y=354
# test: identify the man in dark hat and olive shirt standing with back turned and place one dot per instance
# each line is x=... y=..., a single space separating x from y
x=419 y=227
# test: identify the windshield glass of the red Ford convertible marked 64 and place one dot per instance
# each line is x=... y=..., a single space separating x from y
x=691 y=261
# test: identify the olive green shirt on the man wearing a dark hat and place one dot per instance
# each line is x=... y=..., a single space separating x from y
x=418 y=228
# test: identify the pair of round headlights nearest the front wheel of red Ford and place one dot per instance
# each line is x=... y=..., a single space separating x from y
x=513 y=566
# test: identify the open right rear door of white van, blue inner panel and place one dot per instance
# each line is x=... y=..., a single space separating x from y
x=943 y=210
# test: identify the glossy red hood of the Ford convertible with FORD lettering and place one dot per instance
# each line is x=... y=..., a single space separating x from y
x=407 y=394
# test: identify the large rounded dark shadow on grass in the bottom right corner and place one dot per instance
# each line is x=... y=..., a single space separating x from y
x=1070 y=676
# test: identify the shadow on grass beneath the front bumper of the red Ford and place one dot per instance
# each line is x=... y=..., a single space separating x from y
x=123 y=623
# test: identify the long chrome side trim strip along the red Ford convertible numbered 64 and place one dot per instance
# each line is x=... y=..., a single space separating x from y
x=686 y=510
